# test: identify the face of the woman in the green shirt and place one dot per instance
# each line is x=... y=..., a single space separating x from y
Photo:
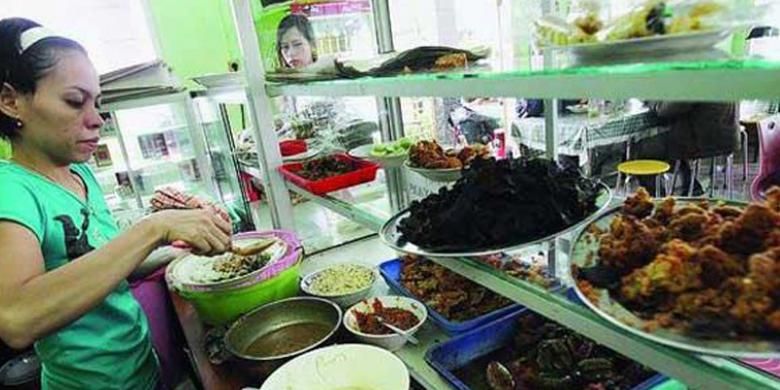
x=61 y=118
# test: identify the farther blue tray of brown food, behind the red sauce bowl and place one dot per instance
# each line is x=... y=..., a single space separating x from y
x=391 y=272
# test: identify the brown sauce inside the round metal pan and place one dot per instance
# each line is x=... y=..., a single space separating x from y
x=288 y=339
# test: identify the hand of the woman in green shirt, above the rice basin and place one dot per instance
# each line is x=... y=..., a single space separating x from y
x=205 y=231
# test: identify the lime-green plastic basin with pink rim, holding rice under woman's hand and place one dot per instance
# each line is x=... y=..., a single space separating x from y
x=223 y=304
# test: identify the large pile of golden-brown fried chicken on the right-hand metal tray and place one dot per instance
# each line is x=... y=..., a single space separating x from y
x=705 y=268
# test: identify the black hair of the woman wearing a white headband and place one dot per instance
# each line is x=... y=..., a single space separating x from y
x=23 y=70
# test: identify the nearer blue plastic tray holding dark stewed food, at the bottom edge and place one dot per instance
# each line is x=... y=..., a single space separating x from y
x=459 y=351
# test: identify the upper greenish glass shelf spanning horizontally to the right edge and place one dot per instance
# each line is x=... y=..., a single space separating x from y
x=692 y=81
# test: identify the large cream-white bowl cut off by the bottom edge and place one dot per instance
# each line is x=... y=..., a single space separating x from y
x=347 y=366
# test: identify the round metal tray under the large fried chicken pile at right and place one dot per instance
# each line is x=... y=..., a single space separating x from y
x=584 y=252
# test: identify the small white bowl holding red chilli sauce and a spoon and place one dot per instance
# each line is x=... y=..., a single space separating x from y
x=391 y=342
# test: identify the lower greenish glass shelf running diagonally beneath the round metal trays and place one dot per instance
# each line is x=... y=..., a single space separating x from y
x=696 y=371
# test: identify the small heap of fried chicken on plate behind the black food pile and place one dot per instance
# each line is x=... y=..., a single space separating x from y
x=430 y=155
